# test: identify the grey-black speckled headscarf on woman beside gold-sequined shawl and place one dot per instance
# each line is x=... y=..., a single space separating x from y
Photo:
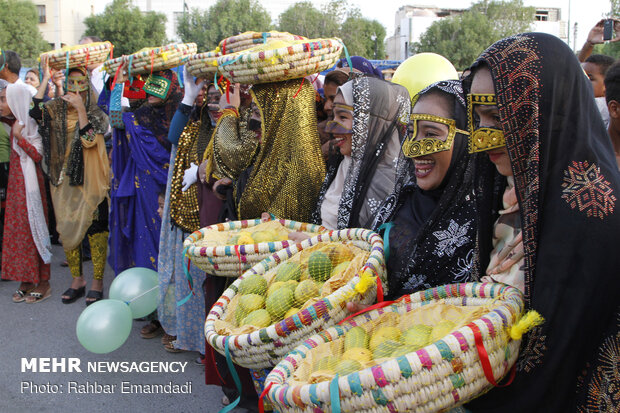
x=380 y=115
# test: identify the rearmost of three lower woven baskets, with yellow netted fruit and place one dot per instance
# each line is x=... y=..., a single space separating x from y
x=231 y=248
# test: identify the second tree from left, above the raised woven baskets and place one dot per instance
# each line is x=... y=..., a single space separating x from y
x=127 y=27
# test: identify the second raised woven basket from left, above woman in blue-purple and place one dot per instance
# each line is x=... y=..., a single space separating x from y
x=153 y=59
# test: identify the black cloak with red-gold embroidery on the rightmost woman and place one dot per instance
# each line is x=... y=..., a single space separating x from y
x=567 y=183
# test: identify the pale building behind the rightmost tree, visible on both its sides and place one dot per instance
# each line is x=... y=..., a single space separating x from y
x=412 y=21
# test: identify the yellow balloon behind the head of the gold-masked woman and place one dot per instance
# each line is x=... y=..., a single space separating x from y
x=422 y=70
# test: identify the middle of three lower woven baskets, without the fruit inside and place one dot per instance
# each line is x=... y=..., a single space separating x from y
x=265 y=347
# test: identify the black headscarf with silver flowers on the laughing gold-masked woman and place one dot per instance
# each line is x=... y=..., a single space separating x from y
x=433 y=233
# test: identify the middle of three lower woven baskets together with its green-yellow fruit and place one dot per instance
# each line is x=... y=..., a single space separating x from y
x=293 y=294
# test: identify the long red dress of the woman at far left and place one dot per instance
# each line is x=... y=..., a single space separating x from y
x=20 y=258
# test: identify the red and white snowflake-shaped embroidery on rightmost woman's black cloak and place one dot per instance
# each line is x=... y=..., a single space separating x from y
x=585 y=188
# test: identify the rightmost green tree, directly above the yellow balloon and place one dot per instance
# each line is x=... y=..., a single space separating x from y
x=463 y=37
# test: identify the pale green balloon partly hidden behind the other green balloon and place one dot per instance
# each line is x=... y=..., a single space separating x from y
x=135 y=282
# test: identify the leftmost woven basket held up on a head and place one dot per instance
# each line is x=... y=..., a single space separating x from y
x=79 y=56
